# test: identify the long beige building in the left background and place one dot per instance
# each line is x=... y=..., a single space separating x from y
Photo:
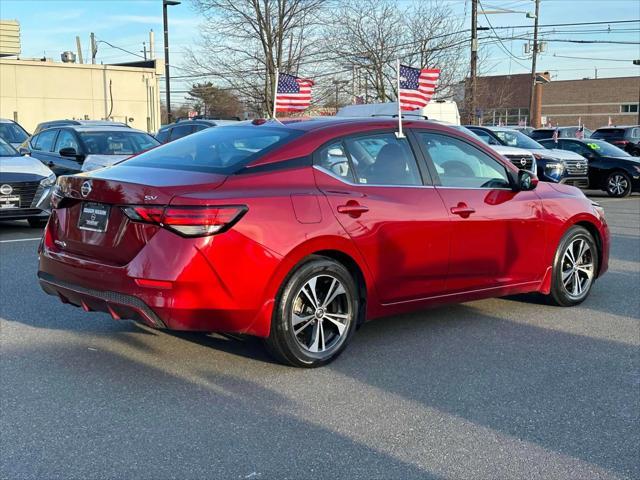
x=33 y=91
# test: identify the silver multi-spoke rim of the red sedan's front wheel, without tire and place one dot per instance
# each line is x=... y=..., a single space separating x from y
x=577 y=268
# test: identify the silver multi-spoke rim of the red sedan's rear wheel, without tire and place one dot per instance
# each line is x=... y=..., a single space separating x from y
x=321 y=314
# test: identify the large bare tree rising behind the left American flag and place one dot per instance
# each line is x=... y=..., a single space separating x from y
x=244 y=41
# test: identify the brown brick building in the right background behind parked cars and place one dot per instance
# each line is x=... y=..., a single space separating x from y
x=505 y=98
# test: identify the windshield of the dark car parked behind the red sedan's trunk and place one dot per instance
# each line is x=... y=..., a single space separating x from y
x=120 y=142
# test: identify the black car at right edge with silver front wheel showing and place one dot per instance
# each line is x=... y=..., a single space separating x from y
x=610 y=168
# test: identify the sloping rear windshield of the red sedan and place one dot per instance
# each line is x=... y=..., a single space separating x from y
x=215 y=150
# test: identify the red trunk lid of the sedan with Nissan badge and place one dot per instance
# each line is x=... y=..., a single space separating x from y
x=113 y=188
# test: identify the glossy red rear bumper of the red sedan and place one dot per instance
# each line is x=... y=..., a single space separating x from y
x=173 y=283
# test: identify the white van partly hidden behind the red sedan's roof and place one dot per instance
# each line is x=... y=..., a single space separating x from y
x=442 y=110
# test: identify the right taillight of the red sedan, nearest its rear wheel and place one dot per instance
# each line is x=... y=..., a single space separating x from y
x=188 y=221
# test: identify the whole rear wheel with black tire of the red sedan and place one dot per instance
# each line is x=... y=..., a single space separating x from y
x=314 y=315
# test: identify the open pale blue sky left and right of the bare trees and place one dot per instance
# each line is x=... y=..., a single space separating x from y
x=49 y=27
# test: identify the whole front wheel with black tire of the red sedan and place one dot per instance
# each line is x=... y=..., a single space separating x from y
x=574 y=268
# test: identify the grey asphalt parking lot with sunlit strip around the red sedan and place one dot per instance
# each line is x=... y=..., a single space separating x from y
x=494 y=389
